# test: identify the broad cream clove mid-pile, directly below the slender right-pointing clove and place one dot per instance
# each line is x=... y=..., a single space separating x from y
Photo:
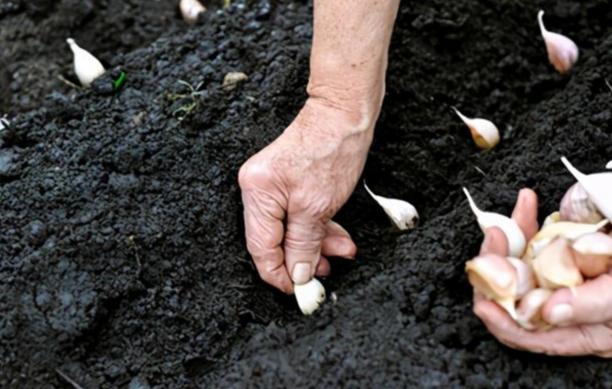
x=555 y=266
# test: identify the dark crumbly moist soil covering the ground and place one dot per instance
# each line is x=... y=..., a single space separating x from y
x=122 y=259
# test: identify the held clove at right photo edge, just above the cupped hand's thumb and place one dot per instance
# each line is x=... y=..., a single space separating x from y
x=593 y=253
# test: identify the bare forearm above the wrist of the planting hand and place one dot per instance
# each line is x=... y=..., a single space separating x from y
x=349 y=54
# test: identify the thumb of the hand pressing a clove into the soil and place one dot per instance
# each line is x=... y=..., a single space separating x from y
x=302 y=247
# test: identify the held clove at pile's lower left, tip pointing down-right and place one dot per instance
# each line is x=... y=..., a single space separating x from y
x=495 y=278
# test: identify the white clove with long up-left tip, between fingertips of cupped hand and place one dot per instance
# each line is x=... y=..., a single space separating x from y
x=516 y=238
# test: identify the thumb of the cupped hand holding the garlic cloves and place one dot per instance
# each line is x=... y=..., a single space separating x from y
x=590 y=303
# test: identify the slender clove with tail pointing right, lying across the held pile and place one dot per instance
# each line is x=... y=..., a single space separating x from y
x=565 y=230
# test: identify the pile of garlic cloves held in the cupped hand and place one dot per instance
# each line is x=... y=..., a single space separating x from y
x=573 y=245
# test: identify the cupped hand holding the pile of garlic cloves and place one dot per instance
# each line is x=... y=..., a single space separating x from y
x=583 y=321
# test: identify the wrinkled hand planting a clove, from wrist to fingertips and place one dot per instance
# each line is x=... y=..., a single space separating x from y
x=292 y=188
